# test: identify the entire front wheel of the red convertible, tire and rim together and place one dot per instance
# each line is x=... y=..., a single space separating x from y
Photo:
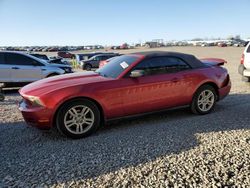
x=78 y=118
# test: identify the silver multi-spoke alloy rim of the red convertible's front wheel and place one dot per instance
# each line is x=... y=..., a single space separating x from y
x=79 y=119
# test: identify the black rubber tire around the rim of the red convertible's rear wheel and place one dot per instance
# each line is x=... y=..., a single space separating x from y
x=195 y=108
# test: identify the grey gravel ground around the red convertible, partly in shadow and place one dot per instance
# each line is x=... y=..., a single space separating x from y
x=170 y=149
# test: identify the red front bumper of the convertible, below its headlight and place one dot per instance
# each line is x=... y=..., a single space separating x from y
x=39 y=117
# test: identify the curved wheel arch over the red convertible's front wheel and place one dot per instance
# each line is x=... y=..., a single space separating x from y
x=102 y=114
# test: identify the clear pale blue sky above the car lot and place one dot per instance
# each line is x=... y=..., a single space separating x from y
x=82 y=22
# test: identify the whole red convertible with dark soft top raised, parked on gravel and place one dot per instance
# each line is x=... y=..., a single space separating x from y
x=77 y=104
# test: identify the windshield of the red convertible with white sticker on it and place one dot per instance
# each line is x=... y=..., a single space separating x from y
x=116 y=66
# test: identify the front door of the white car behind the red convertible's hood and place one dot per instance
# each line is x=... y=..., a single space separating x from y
x=23 y=68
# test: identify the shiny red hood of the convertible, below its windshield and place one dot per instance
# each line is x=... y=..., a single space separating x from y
x=48 y=85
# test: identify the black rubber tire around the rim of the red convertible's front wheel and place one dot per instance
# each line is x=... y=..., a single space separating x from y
x=62 y=114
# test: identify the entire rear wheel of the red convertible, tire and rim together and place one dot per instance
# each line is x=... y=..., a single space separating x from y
x=204 y=100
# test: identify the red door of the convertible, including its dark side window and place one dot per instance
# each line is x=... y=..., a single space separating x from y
x=161 y=87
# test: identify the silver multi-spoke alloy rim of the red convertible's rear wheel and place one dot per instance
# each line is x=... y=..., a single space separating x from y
x=206 y=100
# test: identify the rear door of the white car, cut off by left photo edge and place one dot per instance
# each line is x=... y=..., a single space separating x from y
x=4 y=70
